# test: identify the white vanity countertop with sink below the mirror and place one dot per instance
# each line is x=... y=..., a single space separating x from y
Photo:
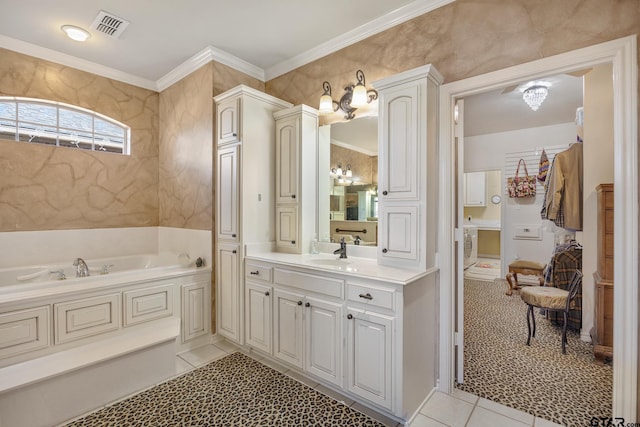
x=352 y=266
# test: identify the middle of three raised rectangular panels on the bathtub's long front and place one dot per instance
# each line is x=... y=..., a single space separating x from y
x=86 y=317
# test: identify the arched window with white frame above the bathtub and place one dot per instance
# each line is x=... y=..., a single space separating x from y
x=63 y=125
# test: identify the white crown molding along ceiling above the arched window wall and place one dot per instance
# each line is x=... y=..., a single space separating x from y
x=74 y=62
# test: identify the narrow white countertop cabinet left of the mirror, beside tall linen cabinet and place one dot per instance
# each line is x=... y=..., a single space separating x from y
x=296 y=198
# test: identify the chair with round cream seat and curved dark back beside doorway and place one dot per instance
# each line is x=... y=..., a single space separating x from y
x=551 y=299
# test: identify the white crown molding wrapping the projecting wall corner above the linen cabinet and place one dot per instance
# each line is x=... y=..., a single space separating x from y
x=203 y=57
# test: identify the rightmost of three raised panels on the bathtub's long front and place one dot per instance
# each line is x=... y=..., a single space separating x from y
x=147 y=304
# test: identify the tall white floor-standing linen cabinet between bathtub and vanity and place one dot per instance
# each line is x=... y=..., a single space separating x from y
x=245 y=175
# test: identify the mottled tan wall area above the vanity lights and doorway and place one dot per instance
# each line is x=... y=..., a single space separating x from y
x=464 y=39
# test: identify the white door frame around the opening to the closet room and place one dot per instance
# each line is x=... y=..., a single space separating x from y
x=622 y=54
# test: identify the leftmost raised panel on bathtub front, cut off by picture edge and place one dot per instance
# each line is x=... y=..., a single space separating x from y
x=24 y=330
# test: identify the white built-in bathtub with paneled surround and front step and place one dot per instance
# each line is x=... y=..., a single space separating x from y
x=98 y=337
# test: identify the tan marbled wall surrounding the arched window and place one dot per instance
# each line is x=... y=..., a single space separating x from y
x=54 y=188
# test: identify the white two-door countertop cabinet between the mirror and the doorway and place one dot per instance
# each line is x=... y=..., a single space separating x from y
x=407 y=165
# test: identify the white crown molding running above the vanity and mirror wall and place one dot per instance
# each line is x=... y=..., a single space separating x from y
x=376 y=26
